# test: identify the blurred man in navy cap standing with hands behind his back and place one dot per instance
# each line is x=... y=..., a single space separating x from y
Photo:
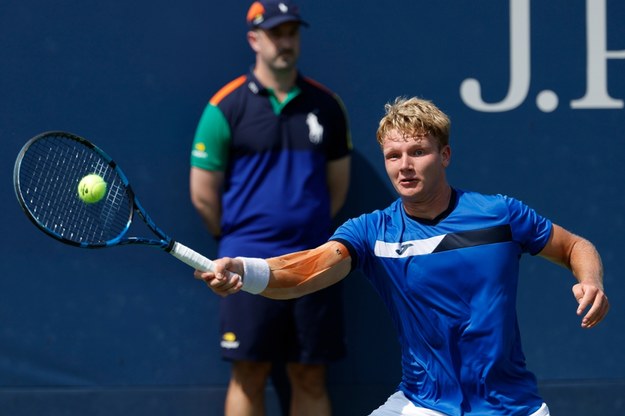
x=270 y=167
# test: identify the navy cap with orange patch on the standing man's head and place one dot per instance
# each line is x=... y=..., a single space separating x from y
x=266 y=14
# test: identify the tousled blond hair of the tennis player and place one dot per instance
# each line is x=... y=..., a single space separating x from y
x=414 y=117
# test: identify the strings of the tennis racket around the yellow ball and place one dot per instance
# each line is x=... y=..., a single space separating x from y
x=49 y=173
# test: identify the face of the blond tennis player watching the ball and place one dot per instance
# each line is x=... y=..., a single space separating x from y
x=415 y=166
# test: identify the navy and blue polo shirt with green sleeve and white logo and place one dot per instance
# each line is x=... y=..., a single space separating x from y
x=274 y=155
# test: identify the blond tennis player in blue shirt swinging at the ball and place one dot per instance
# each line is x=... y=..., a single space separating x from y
x=446 y=263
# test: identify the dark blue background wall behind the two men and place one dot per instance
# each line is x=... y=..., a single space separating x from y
x=129 y=330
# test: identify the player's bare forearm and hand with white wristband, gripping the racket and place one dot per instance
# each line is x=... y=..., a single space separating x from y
x=283 y=277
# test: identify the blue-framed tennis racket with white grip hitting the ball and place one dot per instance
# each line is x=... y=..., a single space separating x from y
x=47 y=172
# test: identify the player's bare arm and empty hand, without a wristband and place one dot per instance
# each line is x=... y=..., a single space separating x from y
x=580 y=256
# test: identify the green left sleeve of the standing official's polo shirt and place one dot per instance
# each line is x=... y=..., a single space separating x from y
x=212 y=140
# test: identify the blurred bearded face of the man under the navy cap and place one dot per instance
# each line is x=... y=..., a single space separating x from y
x=278 y=48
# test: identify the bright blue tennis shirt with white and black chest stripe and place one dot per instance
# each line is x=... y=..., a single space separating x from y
x=450 y=286
